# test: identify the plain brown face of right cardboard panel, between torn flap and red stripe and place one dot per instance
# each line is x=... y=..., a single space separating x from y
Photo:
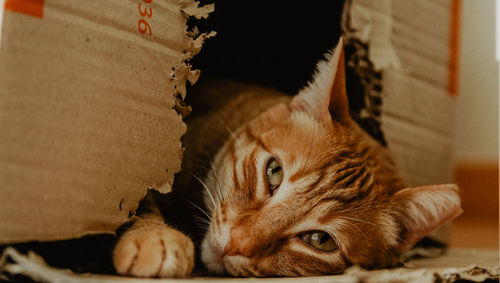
x=419 y=111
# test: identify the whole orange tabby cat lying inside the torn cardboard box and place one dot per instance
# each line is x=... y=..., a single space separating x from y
x=288 y=186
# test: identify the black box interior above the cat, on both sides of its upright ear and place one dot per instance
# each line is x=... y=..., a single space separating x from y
x=278 y=43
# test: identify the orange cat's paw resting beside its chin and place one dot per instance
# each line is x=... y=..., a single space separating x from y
x=158 y=252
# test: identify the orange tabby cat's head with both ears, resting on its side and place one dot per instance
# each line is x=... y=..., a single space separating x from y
x=302 y=190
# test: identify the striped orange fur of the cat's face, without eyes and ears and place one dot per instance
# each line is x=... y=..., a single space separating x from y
x=336 y=180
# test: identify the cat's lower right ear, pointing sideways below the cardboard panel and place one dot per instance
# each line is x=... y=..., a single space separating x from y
x=424 y=209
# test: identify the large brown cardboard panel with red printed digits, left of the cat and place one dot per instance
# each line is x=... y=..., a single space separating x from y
x=86 y=98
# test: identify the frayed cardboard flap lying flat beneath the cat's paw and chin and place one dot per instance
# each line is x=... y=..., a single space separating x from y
x=454 y=266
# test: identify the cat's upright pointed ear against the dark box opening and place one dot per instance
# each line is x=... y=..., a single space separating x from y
x=325 y=96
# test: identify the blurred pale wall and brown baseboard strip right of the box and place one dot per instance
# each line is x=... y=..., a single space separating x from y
x=476 y=142
